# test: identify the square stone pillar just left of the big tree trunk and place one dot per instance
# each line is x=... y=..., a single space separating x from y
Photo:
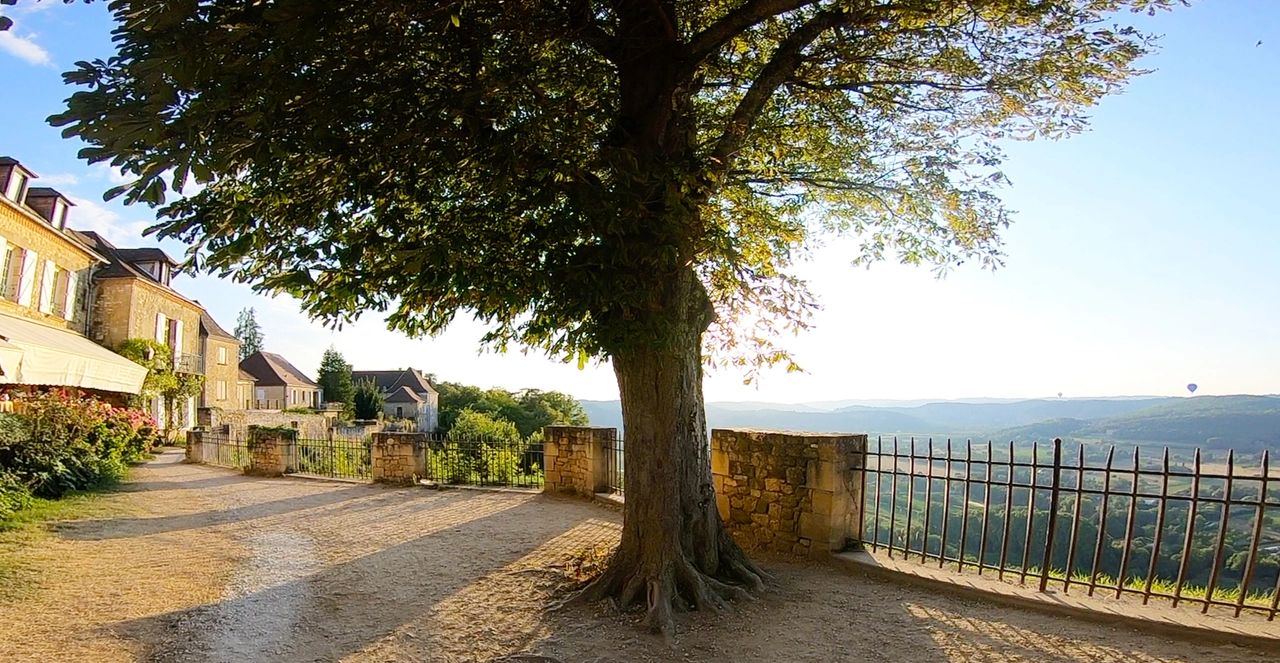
x=574 y=459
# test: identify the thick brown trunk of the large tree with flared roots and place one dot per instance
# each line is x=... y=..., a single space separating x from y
x=675 y=552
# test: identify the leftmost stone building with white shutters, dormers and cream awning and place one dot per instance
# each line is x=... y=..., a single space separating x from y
x=44 y=296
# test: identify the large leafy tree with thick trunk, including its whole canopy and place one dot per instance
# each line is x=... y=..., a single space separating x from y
x=628 y=180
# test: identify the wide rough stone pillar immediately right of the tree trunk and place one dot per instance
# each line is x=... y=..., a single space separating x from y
x=796 y=493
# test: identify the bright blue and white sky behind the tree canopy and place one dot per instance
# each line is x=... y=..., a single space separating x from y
x=1145 y=254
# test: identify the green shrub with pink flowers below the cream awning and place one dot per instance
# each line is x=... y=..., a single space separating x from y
x=67 y=441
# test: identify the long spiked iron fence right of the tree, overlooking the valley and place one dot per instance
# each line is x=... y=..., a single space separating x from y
x=1176 y=528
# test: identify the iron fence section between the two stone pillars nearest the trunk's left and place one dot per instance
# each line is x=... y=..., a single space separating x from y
x=484 y=463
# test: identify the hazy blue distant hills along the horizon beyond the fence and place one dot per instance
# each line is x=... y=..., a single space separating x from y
x=1246 y=423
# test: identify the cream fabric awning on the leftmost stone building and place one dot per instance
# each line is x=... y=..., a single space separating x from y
x=39 y=355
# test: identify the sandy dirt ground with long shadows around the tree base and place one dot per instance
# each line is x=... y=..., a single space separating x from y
x=199 y=565
